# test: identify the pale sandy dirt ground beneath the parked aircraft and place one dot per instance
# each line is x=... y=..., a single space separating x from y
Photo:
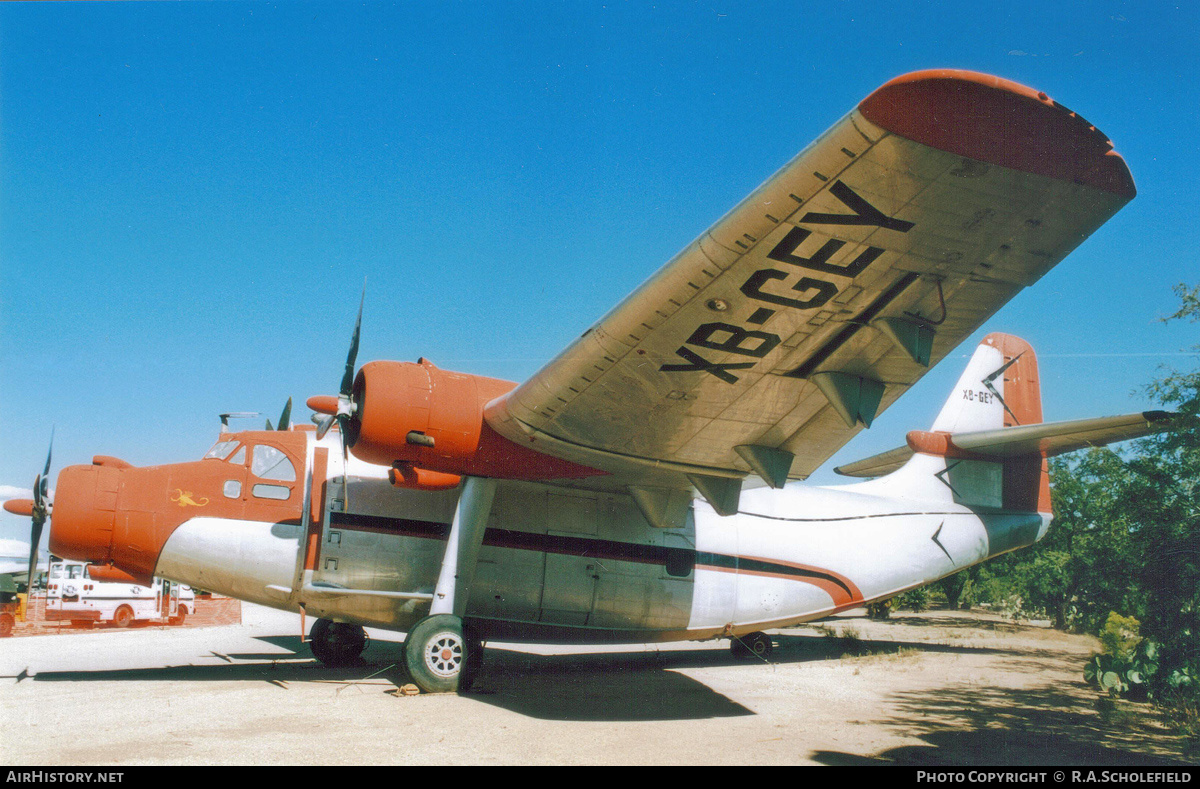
x=933 y=689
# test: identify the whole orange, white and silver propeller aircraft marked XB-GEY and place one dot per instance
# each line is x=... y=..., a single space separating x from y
x=607 y=499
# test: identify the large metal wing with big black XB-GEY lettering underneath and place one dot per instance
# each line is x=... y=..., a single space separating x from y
x=790 y=324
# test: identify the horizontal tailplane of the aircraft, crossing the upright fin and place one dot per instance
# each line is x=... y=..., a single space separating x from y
x=1047 y=439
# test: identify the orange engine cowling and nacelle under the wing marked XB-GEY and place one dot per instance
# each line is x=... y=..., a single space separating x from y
x=416 y=417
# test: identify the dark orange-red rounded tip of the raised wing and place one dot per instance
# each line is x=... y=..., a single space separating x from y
x=1001 y=123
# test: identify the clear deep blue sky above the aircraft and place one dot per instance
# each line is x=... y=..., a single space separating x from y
x=191 y=194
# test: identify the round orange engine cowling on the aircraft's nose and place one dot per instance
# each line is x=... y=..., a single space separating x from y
x=85 y=511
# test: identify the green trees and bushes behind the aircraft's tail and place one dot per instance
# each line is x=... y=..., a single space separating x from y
x=1126 y=537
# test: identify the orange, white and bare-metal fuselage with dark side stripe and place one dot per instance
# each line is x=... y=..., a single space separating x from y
x=557 y=564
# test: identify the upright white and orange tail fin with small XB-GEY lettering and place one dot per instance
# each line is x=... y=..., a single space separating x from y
x=999 y=389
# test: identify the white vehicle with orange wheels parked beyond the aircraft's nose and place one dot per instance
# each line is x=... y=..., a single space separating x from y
x=73 y=594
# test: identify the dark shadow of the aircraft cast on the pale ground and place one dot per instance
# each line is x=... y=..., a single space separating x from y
x=639 y=684
